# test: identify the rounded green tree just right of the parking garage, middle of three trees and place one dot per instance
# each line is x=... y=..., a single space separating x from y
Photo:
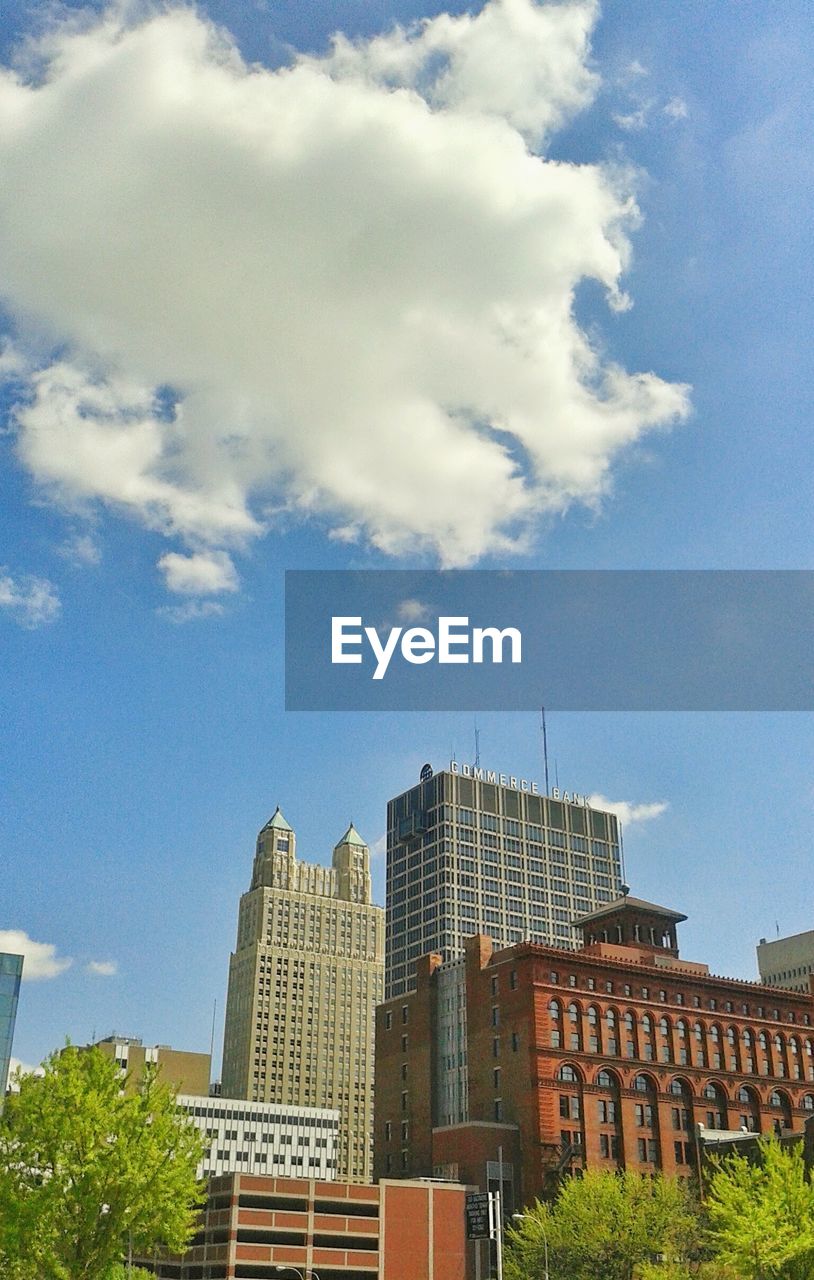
x=602 y=1227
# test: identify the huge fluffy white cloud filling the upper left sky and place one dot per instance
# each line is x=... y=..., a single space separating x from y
x=342 y=289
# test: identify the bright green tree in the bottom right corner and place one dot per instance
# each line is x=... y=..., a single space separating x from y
x=762 y=1214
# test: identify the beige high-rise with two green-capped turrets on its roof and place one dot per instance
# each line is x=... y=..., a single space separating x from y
x=304 y=982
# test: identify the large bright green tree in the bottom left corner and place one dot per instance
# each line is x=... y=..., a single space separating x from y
x=89 y=1172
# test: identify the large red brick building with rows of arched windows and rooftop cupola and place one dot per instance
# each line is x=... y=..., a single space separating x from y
x=607 y=1057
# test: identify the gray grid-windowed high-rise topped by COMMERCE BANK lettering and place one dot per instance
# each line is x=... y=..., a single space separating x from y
x=475 y=852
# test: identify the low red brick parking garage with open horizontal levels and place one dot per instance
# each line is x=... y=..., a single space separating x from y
x=268 y=1228
